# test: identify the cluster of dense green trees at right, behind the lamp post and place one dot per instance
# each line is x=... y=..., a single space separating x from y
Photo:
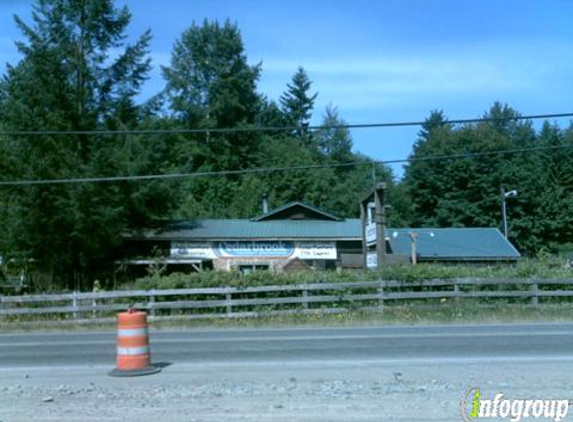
x=464 y=191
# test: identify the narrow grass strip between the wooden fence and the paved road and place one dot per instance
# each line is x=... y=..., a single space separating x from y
x=469 y=312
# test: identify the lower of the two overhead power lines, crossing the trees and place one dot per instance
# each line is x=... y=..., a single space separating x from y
x=172 y=176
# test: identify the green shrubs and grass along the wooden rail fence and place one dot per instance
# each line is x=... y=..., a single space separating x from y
x=413 y=301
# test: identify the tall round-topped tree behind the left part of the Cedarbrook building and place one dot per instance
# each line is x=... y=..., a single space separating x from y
x=210 y=85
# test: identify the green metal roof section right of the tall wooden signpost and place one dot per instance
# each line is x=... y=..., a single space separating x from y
x=454 y=244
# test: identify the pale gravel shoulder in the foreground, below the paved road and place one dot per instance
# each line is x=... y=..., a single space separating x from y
x=344 y=392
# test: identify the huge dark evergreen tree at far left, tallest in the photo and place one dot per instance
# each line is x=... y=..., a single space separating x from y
x=67 y=81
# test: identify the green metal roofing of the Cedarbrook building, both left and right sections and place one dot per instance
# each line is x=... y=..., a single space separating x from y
x=442 y=244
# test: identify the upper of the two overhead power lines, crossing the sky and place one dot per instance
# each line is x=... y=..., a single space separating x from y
x=269 y=128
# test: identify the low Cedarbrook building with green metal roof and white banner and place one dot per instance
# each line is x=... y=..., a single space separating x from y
x=300 y=233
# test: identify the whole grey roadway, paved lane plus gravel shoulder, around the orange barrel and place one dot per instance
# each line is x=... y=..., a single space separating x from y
x=400 y=373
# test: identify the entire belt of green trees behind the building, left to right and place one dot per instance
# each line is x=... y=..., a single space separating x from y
x=69 y=111
